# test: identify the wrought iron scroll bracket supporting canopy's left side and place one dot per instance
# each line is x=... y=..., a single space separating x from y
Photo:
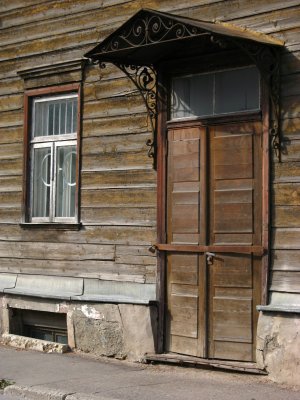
x=144 y=79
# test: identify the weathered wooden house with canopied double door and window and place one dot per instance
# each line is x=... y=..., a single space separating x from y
x=150 y=179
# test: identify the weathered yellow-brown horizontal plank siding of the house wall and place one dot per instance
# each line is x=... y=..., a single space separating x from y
x=118 y=205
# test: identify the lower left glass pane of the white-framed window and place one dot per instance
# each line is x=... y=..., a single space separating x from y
x=41 y=182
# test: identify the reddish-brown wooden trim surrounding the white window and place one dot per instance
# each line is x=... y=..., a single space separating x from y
x=29 y=95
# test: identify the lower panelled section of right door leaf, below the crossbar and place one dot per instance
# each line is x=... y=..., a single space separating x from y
x=231 y=291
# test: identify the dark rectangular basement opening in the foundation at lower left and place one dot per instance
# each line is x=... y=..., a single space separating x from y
x=39 y=325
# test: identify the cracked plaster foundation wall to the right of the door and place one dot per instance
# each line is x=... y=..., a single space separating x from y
x=278 y=346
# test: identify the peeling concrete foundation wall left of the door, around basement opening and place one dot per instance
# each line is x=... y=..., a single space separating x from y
x=113 y=330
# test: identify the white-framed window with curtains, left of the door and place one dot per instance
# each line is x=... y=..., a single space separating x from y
x=52 y=157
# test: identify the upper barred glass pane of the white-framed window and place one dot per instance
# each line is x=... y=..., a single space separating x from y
x=55 y=117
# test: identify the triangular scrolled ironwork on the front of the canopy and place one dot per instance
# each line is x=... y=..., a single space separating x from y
x=149 y=29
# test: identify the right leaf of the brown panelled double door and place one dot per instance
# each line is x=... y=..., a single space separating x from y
x=235 y=198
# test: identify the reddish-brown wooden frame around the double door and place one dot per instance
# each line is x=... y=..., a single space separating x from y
x=162 y=113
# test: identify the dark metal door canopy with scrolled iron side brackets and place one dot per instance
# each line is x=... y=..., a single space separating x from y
x=150 y=38
